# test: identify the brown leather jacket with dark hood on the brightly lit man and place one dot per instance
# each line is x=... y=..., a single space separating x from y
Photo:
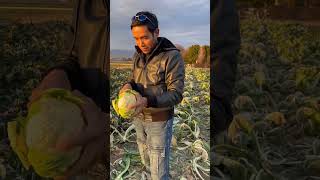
x=159 y=77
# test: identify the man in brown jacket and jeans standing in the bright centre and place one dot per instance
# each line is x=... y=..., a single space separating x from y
x=158 y=75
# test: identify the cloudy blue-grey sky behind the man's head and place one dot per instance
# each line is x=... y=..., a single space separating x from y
x=184 y=22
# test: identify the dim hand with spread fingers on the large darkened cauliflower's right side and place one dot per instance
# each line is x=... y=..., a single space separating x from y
x=93 y=137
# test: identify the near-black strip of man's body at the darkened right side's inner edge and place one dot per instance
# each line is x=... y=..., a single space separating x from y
x=225 y=32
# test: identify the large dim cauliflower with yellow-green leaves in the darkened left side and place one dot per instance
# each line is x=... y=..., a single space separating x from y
x=56 y=114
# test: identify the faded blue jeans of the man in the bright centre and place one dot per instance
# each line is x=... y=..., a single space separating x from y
x=154 y=139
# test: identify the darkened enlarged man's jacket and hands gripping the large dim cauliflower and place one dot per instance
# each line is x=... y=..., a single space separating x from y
x=84 y=70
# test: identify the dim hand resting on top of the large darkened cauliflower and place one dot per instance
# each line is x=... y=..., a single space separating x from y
x=54 y=79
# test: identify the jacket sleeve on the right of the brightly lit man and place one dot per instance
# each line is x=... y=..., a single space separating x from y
x=175 y=74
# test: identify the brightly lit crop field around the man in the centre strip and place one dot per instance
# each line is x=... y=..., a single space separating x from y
x=190 y=144
